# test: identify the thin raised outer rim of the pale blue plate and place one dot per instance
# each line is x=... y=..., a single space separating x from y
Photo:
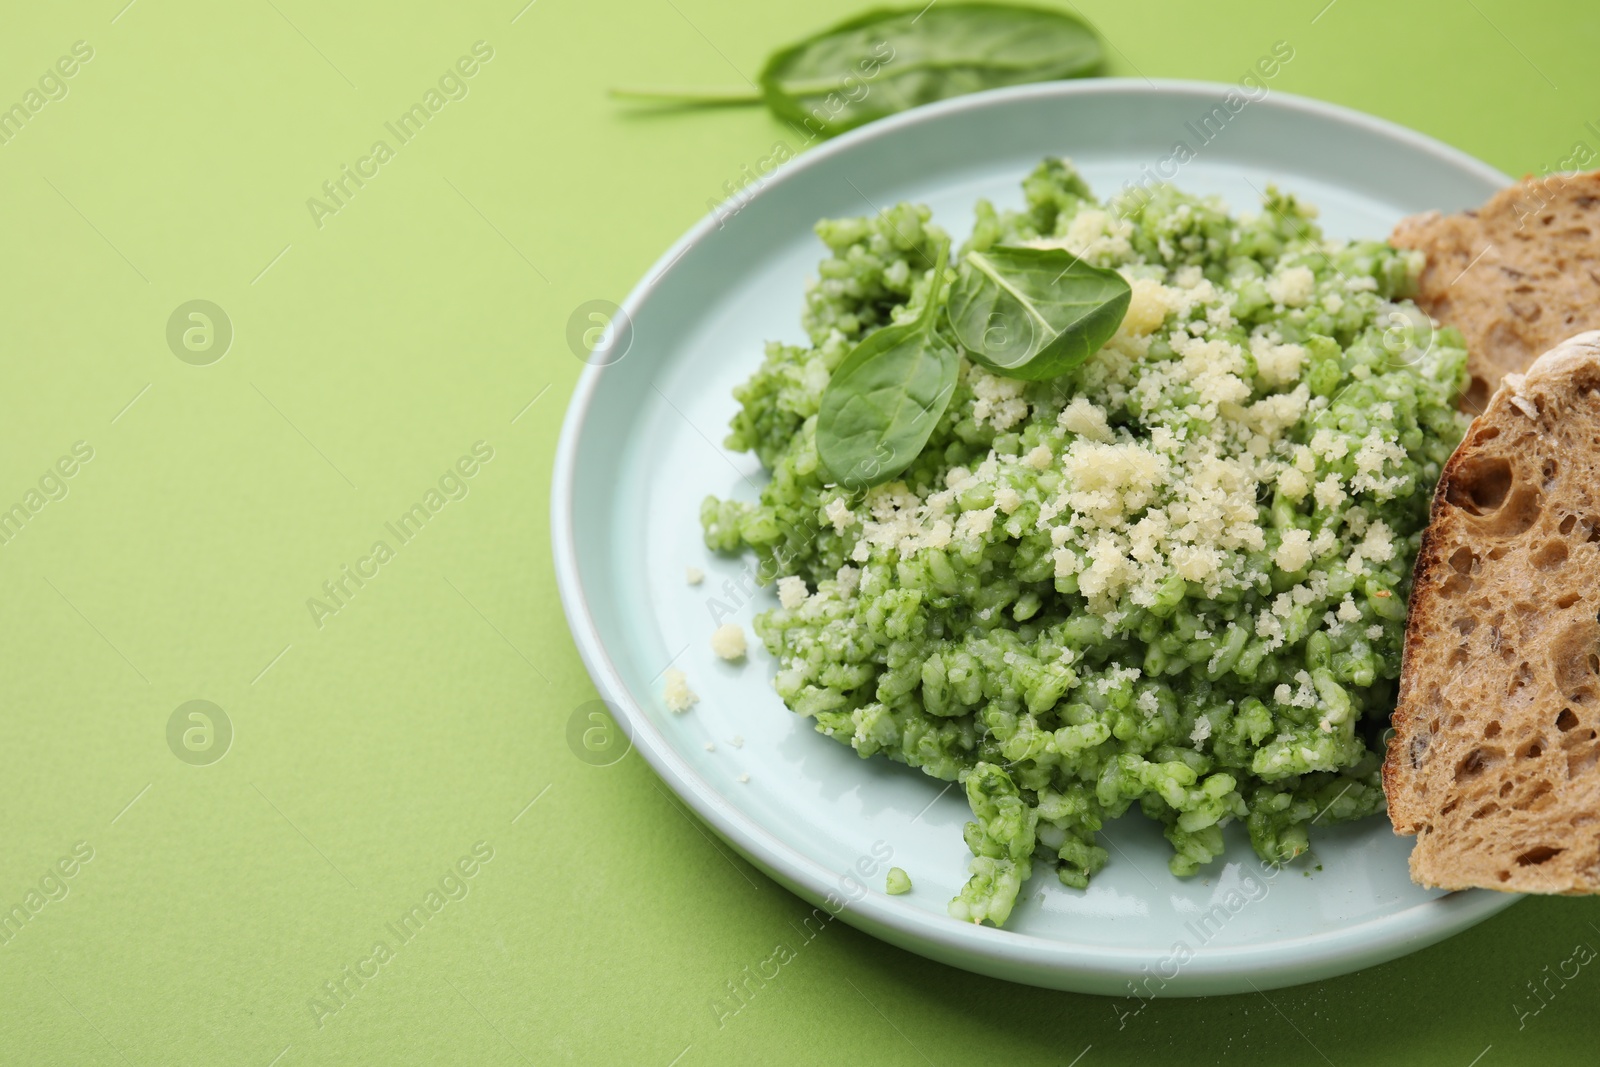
x=986 y=949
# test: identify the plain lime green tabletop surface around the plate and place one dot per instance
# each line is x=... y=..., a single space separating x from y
x=430 y=713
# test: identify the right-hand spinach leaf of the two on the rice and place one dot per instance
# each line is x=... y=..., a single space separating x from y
x=1034 y=313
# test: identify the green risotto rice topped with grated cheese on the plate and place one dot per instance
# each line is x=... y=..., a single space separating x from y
x=1172 y=578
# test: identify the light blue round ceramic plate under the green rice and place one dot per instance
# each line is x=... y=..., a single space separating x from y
x=641 y=449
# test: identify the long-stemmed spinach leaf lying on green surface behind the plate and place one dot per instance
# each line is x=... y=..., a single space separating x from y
x=890 y=60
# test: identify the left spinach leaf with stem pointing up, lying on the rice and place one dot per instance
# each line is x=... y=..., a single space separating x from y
x=887 y=398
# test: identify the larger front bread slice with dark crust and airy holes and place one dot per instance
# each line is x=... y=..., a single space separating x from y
x=1495 y=759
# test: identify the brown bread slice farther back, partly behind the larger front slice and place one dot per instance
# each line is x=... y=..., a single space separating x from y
x=1516 y=276
